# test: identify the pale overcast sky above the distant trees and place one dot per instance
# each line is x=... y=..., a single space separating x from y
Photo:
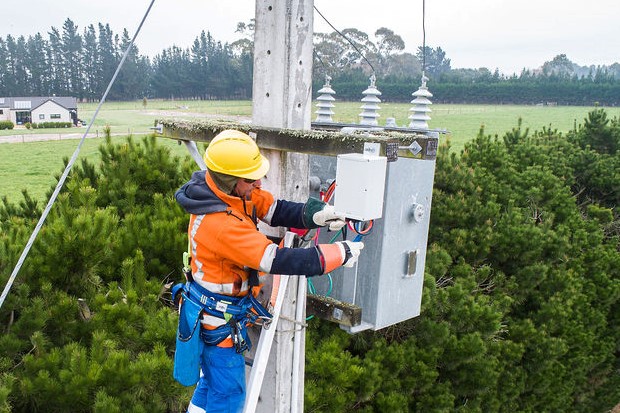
x=506 y=34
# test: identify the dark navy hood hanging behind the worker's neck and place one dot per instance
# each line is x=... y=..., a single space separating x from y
x=197 y=198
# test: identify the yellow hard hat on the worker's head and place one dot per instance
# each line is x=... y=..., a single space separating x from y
x=234 y=153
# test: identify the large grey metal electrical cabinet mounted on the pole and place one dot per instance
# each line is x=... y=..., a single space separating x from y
x=387 y=281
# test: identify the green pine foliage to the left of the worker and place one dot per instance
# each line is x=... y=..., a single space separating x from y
x=85 y=326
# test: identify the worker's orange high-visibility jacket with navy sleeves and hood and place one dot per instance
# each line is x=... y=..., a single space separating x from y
x=225 y=243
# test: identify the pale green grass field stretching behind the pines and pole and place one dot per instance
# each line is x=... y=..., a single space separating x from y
x=32 y=165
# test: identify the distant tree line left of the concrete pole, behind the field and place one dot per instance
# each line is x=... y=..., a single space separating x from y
x=81 y=64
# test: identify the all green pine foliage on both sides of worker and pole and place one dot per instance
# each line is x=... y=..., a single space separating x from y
x=520 y=305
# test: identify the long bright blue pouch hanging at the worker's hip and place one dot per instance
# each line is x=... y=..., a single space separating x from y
x=188 y=344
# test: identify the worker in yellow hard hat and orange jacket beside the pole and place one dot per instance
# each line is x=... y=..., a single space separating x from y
x=227 y=251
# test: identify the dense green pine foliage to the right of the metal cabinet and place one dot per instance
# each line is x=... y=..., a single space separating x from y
x=521 y=296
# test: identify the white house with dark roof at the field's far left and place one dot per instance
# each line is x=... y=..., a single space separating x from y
x=21 y=110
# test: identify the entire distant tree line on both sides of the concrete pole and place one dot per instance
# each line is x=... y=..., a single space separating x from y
x=80 y=64
